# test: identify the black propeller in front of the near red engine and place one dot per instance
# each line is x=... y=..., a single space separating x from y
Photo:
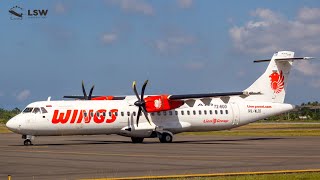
x=140 y=102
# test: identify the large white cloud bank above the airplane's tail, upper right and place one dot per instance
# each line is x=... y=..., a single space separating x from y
x=270 y=32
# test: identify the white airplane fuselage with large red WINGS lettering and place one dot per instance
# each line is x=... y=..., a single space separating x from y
x=116 y=116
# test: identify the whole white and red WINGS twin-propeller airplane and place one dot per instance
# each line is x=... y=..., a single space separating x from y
x=161 y=116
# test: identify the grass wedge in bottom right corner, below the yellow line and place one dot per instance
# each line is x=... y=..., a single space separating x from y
x=291 y=176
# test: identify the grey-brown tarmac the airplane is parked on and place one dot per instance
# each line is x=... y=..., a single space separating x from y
x=77 y=157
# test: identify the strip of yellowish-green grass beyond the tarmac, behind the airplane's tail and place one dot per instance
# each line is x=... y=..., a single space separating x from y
x=265 y=129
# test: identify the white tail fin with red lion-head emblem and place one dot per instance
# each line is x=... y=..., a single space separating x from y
x=271 y=85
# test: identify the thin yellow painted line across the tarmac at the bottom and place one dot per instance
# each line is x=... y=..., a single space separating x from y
x=210 y=175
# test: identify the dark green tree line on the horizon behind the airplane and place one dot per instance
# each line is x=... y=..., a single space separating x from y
x=305 y=112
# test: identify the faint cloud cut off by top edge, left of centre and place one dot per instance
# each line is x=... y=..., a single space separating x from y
x=137 y=6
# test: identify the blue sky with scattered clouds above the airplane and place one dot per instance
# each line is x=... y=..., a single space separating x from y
x=180 y=46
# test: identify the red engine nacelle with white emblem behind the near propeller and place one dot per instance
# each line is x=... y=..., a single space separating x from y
x=161 y=103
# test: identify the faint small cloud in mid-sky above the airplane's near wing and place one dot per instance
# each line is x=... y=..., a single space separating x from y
x=173 y=43
